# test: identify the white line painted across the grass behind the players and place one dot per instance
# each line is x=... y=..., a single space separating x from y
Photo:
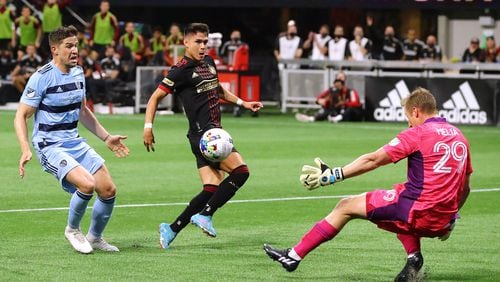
x=230 y=202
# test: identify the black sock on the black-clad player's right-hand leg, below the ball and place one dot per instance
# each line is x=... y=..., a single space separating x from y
x=226 y=189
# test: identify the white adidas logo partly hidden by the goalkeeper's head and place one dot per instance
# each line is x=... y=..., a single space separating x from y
x=390 y=107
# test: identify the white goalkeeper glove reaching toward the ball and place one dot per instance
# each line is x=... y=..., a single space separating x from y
x=313 y=177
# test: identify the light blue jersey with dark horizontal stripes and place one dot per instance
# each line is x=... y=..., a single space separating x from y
x=58 y=98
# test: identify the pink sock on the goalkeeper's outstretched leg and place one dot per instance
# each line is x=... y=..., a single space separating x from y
x=321 y=232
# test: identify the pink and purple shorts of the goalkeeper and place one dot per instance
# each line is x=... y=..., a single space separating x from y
x=392 y=211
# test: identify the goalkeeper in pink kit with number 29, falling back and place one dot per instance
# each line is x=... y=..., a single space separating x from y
x=426 y=205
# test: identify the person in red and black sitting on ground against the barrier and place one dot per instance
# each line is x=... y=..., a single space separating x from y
x=338 y=103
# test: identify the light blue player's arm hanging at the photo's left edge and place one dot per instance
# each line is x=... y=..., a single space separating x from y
x=24 y=112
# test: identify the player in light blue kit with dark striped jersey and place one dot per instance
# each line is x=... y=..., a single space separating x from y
x=55 y=96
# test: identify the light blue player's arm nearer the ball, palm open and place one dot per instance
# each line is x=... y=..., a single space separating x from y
x=114 y=142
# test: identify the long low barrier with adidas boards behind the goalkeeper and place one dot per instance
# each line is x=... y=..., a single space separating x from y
x=465 y=93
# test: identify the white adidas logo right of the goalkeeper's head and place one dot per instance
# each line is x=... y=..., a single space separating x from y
x=463 y=107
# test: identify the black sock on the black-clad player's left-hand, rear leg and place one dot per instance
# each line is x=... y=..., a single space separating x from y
x=194 y=207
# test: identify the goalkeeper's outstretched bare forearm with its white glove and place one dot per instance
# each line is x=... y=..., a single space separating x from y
x=313 y=177
